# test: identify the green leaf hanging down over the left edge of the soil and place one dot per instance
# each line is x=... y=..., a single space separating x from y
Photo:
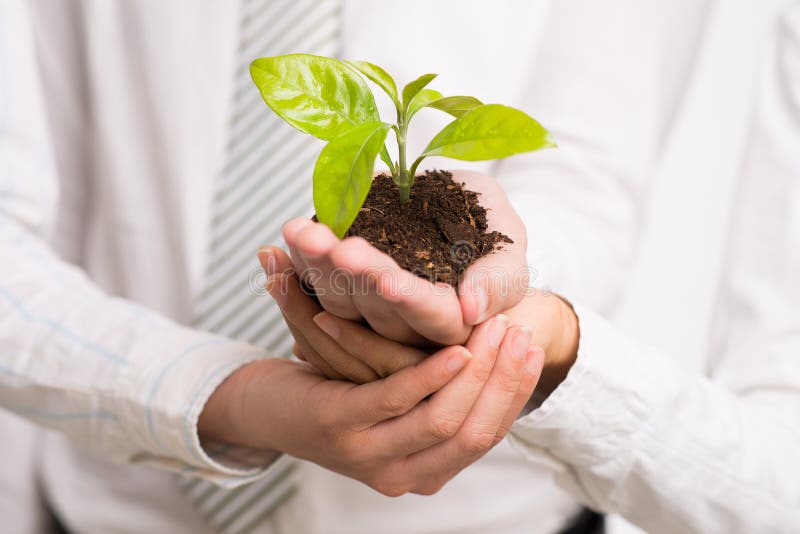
x=343 y=174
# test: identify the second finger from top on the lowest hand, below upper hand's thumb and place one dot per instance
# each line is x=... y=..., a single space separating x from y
x=441 y=417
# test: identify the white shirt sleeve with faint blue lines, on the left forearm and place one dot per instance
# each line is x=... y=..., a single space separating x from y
x=110 y=374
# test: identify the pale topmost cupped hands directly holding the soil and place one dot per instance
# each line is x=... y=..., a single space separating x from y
x=428 y=312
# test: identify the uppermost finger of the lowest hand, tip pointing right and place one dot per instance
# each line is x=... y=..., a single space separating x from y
x=400 y=393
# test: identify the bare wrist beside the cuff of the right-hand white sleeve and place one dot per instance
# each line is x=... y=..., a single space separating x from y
x=555 y=329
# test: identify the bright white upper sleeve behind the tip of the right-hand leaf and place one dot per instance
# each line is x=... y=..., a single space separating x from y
x=609 y=106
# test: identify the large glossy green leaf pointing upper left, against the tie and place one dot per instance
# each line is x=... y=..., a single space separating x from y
x=317 y=95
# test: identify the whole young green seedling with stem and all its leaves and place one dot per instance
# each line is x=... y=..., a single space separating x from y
x=329 y=99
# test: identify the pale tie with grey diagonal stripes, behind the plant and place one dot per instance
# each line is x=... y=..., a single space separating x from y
x=265 y=182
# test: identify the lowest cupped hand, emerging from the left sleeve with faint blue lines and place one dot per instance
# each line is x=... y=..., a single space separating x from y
x=410 y=432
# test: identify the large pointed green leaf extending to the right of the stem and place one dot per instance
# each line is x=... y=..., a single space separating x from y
x=490 y=131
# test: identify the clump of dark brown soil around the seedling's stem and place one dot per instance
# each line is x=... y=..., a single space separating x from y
x=436 y=235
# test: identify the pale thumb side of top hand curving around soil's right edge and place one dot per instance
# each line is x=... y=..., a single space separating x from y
x=497 y=281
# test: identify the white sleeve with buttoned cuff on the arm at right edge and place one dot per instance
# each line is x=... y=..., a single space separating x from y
x=681 y=448
